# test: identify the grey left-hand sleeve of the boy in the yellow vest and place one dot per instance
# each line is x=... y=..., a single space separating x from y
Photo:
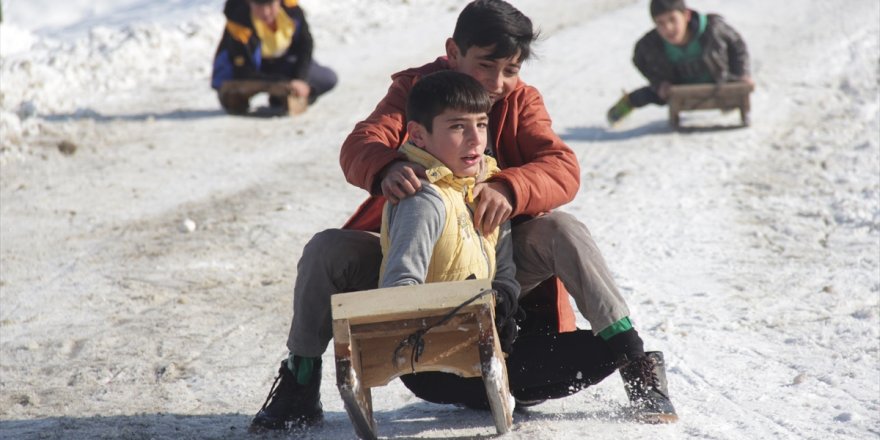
x=414 y=226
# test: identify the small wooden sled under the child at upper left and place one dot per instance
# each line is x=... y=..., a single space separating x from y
x=235 y=95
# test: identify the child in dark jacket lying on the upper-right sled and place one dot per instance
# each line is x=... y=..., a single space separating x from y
x=685 y=47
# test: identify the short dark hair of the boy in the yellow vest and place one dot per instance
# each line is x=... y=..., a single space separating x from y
x=440 y=91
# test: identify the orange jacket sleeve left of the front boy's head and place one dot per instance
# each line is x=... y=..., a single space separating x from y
x=372 y=145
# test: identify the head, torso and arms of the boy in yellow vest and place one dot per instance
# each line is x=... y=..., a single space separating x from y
x=431 y=236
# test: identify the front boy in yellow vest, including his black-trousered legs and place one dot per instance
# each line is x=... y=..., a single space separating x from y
x=431 y=236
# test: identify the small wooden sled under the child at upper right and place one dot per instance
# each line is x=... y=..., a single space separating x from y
x=725 y=96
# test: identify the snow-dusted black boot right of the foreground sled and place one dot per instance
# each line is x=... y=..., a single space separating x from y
x=644 y=379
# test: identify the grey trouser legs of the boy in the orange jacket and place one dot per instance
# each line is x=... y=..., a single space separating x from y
x=337 y=260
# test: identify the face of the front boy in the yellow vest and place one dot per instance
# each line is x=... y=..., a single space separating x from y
x=457 y=138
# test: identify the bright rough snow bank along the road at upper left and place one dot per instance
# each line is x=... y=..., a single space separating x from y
x=44 y=75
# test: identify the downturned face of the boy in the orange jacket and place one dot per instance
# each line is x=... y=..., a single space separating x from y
x=498 y=76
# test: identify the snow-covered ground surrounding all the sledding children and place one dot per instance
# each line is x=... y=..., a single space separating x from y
x=751 y=257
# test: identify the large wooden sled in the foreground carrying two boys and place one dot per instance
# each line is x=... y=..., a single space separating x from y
x=370 y=330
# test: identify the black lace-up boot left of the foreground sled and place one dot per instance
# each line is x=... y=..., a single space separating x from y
x=289 y=404
